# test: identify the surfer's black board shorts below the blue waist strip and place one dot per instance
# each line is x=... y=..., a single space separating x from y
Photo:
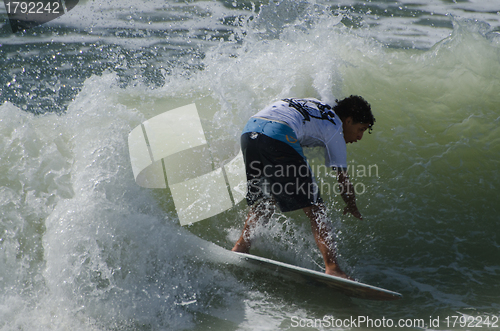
x=274 y=169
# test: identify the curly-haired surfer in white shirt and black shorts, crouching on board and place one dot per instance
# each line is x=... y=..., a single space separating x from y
x=277 y=170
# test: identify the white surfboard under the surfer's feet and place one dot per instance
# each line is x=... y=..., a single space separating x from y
x=303 y=275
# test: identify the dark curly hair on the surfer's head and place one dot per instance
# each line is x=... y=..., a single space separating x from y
x=357 y=108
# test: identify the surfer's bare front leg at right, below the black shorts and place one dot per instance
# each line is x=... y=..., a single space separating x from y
x=318 y=217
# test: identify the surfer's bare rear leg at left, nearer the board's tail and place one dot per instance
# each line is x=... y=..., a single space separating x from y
x=262 y=210
